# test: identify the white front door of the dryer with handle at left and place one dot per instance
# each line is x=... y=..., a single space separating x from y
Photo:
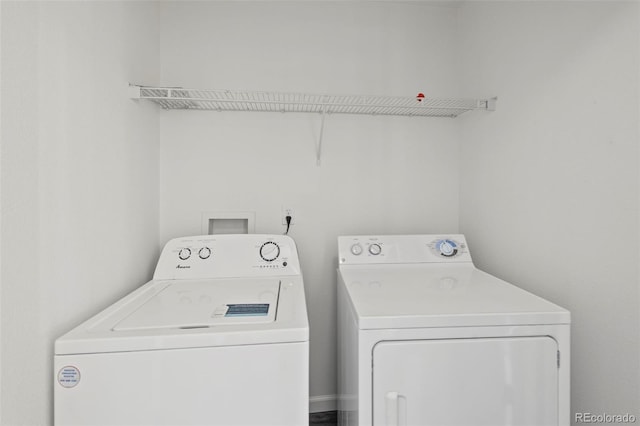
x=492 y=381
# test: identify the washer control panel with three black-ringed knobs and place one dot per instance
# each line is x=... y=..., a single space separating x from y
x=218 y=256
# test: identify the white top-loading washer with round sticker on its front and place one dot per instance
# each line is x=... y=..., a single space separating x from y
x=220 y=336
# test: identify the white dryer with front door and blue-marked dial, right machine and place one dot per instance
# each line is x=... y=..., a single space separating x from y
x=425 y=338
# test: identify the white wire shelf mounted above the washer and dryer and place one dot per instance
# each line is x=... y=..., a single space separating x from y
x=227 y=100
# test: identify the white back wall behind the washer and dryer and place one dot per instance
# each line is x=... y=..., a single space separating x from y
x=378 y=174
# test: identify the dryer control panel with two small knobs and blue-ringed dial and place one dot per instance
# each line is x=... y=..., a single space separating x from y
x=391 y=249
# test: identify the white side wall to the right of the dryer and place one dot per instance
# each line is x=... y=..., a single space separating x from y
x=549 y=182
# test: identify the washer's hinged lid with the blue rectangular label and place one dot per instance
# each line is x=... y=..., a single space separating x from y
x=200 y=304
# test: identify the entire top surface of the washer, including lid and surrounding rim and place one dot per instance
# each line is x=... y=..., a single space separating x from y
x=185 y=314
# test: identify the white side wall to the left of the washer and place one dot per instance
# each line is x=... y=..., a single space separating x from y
x=79 y=179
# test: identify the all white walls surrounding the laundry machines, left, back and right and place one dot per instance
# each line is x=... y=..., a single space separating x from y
x=546 y=187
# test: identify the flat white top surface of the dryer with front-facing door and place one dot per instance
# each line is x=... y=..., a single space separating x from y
x=408 y=296
